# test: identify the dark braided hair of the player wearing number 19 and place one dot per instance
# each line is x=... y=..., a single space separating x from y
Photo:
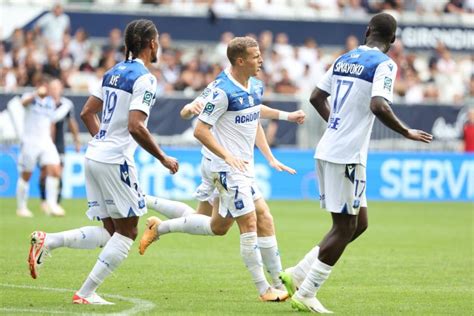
x=138 y=34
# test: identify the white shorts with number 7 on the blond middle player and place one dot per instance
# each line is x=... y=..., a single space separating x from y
x=235 y=194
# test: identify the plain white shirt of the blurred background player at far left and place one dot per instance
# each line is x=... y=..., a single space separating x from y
x=39 y=115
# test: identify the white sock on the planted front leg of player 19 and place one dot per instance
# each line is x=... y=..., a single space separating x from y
x=114 y=252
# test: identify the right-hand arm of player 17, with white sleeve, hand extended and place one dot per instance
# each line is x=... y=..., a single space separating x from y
x=382 y=95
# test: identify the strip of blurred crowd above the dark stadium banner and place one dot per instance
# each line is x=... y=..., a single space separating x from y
x=305 y=8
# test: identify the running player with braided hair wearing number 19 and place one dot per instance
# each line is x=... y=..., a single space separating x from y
x=127 y=93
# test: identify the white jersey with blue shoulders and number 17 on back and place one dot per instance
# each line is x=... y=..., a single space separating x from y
x=352 y=81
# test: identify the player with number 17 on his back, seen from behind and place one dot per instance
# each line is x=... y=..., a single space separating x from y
x=361 y=85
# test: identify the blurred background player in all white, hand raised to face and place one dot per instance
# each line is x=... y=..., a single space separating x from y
x=38 y=147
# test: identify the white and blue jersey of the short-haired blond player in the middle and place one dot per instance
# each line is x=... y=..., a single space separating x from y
x=234 y=112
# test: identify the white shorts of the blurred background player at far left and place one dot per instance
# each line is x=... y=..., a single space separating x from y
x=31 y=154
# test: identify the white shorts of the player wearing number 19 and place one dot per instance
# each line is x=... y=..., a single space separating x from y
x=113 y=191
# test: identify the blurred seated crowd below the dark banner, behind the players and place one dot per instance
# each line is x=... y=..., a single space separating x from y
x=50 y=50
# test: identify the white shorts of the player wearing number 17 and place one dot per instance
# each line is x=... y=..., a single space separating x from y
x=341 y=187
